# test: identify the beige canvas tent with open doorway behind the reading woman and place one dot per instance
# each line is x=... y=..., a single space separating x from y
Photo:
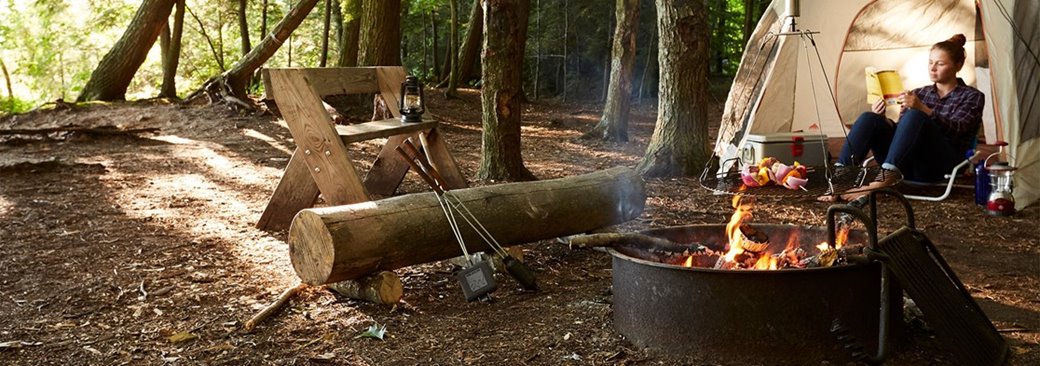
x=816 y=83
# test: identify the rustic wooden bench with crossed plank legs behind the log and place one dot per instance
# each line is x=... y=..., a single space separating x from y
x=321 y=164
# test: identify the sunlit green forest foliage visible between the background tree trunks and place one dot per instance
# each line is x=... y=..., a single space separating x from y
x=49 y=48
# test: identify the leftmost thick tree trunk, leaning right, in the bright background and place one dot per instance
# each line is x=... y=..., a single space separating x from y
x=111 y=80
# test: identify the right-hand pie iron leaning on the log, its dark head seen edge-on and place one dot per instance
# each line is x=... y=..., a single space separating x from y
x=524 y=275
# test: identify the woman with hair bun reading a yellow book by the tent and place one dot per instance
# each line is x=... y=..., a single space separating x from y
x=938 y=125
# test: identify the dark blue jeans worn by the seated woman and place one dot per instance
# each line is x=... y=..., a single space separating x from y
x=917 y=146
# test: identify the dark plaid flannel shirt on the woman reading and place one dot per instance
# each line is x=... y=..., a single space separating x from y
x=959 y=114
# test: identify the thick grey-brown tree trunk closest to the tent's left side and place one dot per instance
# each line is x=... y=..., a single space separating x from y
x=680 y=144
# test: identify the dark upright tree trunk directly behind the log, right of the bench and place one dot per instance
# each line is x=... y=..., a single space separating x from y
x=505 y=36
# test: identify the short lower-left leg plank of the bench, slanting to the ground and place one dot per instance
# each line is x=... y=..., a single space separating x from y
x=296 y=192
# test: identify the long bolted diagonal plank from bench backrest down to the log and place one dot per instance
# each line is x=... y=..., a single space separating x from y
x=326 y=156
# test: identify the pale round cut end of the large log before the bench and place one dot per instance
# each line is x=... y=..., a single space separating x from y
x=314 y=263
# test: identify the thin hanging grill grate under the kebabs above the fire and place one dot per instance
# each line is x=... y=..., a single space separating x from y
x=843 y=179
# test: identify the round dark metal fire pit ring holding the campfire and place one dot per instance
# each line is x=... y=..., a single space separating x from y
x=751 y=317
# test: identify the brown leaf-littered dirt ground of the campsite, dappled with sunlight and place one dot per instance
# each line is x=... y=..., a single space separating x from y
x=115 y=248
